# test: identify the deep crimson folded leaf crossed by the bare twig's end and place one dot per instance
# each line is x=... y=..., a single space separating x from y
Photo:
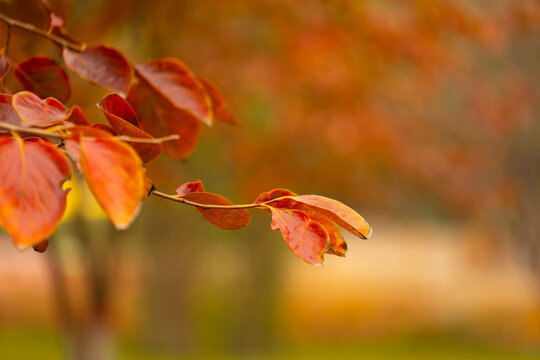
x=123 y=120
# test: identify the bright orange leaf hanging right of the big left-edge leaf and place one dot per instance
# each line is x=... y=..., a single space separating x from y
x=113 y=171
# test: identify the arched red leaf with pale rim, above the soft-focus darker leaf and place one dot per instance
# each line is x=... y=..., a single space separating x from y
x=175 y=81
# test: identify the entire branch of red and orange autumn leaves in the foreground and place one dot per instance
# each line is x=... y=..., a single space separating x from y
x=156 y=106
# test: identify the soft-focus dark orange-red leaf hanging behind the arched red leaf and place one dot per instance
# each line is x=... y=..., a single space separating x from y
x=159 y=117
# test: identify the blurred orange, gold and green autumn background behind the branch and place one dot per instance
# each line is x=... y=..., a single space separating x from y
x=421 y=115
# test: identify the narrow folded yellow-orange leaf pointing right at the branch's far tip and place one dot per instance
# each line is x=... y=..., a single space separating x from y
x=338 y=212
